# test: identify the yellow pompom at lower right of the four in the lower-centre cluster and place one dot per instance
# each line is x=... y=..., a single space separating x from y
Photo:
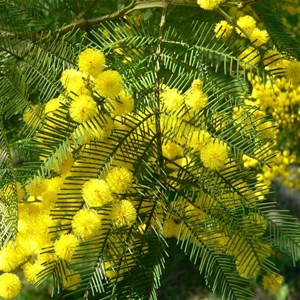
x=123 y=213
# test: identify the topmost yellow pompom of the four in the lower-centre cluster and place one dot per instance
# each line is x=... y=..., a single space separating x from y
x=119 y=180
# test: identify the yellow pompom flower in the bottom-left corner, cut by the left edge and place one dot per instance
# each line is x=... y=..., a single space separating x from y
x=10 y=285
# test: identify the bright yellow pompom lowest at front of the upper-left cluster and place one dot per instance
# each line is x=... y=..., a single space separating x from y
x=83 y=108
